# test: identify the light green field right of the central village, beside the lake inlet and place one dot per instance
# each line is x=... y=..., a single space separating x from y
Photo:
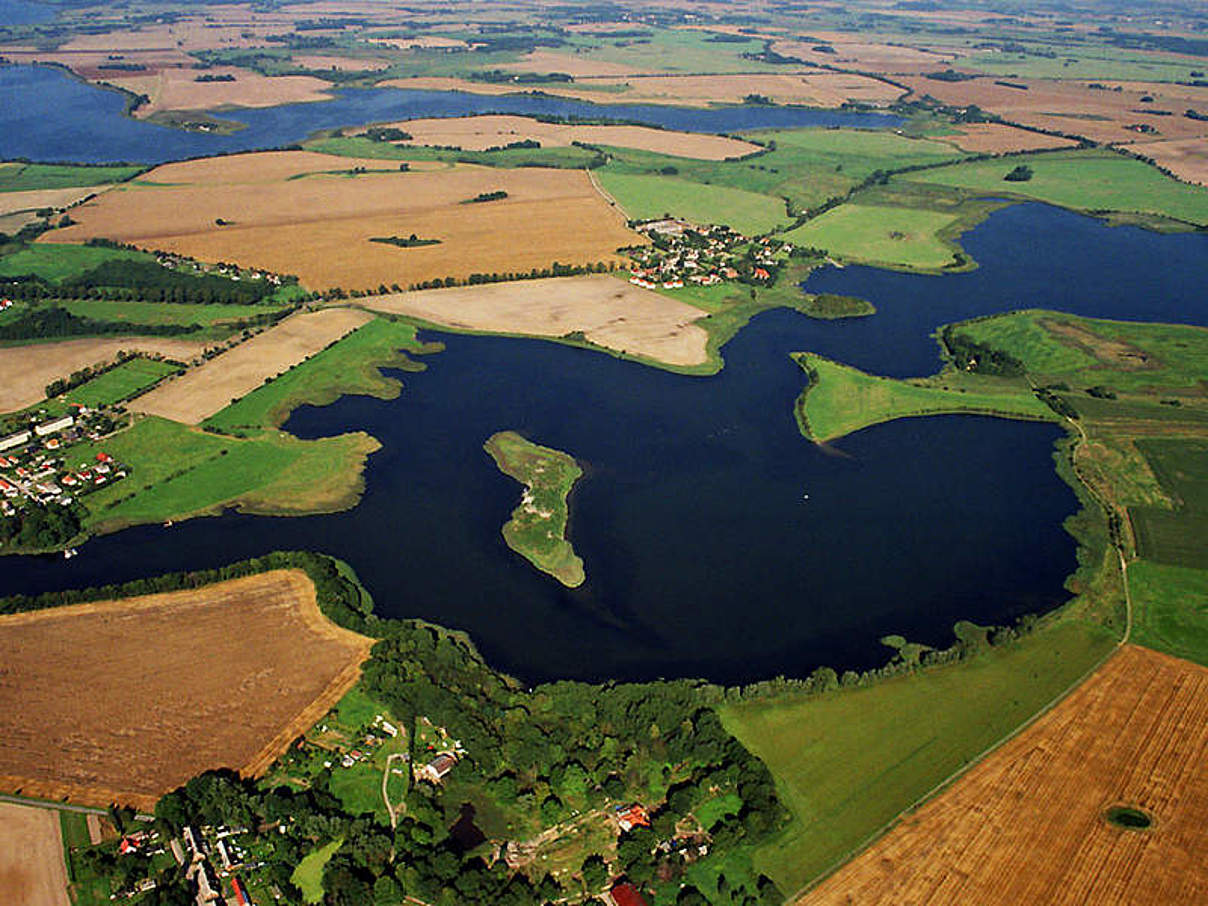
x=893 y=237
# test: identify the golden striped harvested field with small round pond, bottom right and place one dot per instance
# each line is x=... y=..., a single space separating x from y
x=1029 y=826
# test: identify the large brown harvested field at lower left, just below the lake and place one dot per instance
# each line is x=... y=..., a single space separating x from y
x=126 y=700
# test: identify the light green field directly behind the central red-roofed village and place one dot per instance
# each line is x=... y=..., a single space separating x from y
x=648 y=198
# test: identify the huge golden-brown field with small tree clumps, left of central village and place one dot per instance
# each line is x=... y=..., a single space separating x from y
x=309 y=214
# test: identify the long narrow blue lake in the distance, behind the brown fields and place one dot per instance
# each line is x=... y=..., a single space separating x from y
x=47 y=115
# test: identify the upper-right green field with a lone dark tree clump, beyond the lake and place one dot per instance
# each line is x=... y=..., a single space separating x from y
x=1084 y=181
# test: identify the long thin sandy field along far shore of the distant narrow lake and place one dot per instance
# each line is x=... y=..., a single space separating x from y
x=815 y=89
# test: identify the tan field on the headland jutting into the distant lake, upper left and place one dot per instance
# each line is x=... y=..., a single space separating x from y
x=179 y=90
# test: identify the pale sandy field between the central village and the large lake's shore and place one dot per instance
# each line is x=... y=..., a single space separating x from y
x=611 y=313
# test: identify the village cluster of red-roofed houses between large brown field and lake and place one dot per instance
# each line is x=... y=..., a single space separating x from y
x=686 y=254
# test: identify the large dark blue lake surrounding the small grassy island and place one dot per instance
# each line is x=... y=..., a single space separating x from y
x=702 y=556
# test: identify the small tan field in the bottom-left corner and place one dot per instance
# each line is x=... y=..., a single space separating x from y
x=32 y=869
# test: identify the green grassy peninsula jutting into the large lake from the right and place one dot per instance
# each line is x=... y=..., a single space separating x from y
x=841 y=399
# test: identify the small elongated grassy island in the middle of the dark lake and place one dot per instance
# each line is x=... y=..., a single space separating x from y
x=538 y=528
